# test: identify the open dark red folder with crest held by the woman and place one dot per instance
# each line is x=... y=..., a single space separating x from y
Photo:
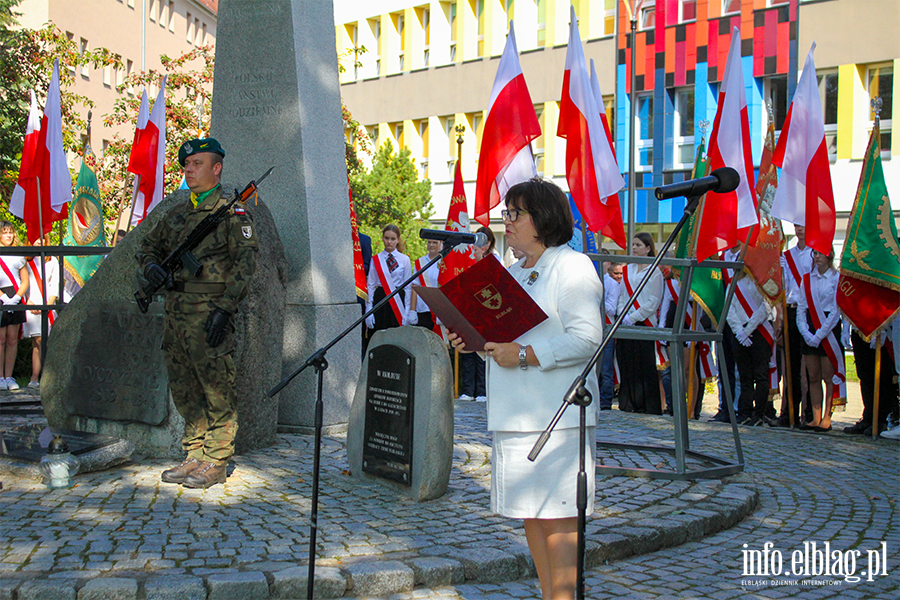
x=482 y=304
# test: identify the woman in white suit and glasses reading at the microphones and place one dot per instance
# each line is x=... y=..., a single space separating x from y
x=528 y=378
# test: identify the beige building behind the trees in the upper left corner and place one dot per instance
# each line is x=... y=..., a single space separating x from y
x=139 y=31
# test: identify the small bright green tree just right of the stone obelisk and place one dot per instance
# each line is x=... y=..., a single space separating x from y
x=391 y=193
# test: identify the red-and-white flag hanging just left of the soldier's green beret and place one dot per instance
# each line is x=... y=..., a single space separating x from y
x=148 y=156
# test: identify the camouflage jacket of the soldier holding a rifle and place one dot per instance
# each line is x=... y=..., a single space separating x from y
x=228 y=254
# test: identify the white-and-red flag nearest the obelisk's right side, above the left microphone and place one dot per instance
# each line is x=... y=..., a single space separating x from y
x=510 y=126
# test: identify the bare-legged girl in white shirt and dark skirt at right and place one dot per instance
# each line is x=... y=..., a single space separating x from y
x=821 y=298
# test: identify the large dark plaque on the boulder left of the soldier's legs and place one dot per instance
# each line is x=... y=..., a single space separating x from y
x=119 y=372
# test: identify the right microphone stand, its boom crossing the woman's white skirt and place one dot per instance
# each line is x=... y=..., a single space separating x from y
x=578 y=394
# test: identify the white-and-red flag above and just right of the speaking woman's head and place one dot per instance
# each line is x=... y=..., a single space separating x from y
x=591 y=168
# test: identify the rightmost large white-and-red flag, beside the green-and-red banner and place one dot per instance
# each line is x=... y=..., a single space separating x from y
x=805 y=196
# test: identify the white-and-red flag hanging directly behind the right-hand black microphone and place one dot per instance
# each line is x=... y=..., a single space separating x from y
x=724 y=225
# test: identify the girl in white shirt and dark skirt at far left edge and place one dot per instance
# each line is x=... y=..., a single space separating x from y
x=13 y=287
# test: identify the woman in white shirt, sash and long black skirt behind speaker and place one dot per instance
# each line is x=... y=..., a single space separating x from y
x=639 y=390
